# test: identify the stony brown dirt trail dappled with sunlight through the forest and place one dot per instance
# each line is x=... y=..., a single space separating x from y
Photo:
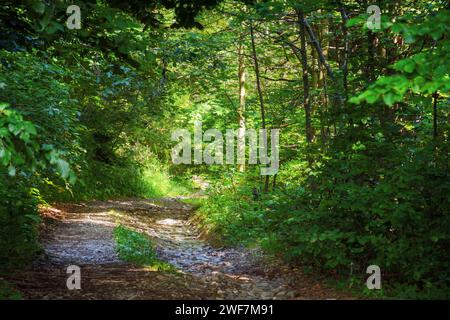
x=83 y=235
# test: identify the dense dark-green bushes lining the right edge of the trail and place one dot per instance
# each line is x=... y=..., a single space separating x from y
x=394 y=215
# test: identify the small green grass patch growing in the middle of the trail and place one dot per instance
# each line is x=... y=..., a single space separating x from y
x=137 y=248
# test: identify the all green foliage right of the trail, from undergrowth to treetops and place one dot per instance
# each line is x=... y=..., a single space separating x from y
x=372 y=188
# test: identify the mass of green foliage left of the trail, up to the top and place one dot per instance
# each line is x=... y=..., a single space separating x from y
x=69 y=108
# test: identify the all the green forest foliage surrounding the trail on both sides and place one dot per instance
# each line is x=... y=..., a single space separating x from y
x=100 y=103
